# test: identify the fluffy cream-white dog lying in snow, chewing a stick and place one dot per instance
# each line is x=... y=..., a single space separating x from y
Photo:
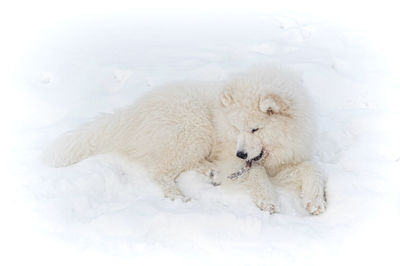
x=260 y=118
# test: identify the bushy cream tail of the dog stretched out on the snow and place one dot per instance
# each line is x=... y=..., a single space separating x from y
x=100 y=136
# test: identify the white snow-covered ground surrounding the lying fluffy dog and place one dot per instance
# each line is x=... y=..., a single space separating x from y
x=106 y=211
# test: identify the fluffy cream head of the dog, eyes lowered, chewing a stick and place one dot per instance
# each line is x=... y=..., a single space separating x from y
x=261 y=113
